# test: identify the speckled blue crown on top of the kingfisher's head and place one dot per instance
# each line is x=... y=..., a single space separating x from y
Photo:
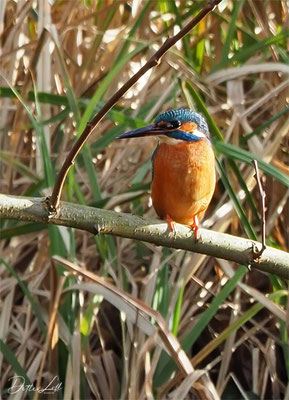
x=184 y=115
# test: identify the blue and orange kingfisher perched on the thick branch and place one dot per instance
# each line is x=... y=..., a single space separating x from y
x=183 y=166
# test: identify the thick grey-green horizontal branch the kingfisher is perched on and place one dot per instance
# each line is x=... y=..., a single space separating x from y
x=96 y=221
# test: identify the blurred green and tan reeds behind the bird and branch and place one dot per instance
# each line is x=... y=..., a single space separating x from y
x=60 y=61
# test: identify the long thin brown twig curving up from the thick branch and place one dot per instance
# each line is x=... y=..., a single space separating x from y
x=53 y=201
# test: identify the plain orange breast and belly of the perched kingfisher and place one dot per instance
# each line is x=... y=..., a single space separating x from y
x=184 y=180
